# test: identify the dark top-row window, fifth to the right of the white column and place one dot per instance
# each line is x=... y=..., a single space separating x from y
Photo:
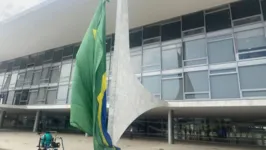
x=217 y=21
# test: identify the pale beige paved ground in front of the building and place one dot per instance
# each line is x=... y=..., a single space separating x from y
x=28 y=141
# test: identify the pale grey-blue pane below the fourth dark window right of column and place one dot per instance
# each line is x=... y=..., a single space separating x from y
x=195 y=49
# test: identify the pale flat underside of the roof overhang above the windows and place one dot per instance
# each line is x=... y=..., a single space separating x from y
x=61 y=22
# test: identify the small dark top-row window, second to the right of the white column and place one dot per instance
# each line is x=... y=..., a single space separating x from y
x=151 y=32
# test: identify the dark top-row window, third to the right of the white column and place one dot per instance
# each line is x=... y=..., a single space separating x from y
x=171 y=31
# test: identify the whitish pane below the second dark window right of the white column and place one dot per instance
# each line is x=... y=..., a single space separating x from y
x=151 y=59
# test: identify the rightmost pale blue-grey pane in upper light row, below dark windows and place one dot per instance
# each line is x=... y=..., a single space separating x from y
x=251 y=40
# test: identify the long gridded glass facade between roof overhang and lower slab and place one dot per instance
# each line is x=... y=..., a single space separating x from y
x=218 y=53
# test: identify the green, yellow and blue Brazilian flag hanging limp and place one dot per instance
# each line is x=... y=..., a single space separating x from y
x=88 y=105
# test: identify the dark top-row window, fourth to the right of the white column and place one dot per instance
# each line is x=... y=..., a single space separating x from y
x=192 y=21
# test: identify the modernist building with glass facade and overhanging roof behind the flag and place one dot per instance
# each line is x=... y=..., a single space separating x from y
x=206 y=58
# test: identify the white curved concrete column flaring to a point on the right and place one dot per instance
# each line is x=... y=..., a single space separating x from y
x=128 y=98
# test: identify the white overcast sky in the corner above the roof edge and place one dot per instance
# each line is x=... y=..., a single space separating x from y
x=9 y=8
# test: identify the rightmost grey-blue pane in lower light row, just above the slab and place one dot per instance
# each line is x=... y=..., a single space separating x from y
x=252 y=77
